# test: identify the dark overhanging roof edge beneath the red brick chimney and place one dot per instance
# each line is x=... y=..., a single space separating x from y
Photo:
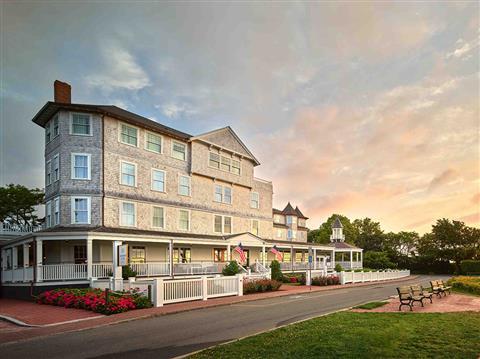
x=51 y=108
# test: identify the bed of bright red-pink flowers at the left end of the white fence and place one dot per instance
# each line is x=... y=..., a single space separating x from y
x=94 y=300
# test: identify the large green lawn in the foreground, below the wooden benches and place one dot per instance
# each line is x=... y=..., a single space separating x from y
x=364 y=335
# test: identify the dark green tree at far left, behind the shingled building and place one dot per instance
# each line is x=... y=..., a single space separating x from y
x=17 y=205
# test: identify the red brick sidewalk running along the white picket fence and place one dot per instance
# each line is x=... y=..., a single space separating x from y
x=37 y=314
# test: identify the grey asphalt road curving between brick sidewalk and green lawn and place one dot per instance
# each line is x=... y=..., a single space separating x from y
x=172 y=335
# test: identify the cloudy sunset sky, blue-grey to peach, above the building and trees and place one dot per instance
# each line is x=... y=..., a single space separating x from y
x=368 y=109
